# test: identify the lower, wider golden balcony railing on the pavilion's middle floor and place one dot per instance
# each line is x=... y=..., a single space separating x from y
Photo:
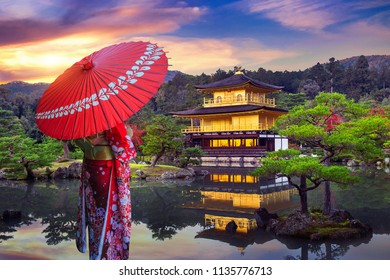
x=225 y=128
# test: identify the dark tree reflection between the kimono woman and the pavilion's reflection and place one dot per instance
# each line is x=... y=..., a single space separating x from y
x=160 y=208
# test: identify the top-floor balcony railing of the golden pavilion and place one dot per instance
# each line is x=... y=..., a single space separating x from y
x=247 y=100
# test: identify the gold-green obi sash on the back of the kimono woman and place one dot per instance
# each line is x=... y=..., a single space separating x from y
x=101 y=151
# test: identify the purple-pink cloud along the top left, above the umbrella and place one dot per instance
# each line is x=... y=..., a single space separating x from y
x=74 y=17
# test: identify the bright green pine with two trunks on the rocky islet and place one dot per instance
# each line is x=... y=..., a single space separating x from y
x=332 y=125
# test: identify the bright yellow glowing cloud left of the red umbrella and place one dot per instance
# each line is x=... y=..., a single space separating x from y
x=43 y=61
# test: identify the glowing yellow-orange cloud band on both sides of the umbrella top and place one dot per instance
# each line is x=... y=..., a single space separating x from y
x=45 y=60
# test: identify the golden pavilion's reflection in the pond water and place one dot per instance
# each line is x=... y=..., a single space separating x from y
x=229 y=196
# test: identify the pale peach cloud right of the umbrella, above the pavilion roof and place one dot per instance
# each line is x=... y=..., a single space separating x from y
x=197 y=55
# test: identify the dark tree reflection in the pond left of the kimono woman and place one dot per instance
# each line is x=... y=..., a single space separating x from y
x=55 y=206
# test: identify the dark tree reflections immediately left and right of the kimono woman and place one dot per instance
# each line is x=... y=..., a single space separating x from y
x=55 y=203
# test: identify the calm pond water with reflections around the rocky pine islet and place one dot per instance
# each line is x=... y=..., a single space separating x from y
x=178 y=220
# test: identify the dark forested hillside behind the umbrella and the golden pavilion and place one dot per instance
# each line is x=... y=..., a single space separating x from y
x=365 y=79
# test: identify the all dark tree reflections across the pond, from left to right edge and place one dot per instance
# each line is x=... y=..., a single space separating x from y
x=160 y=208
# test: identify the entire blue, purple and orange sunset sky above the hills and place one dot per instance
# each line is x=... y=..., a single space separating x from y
x=39 y=39
